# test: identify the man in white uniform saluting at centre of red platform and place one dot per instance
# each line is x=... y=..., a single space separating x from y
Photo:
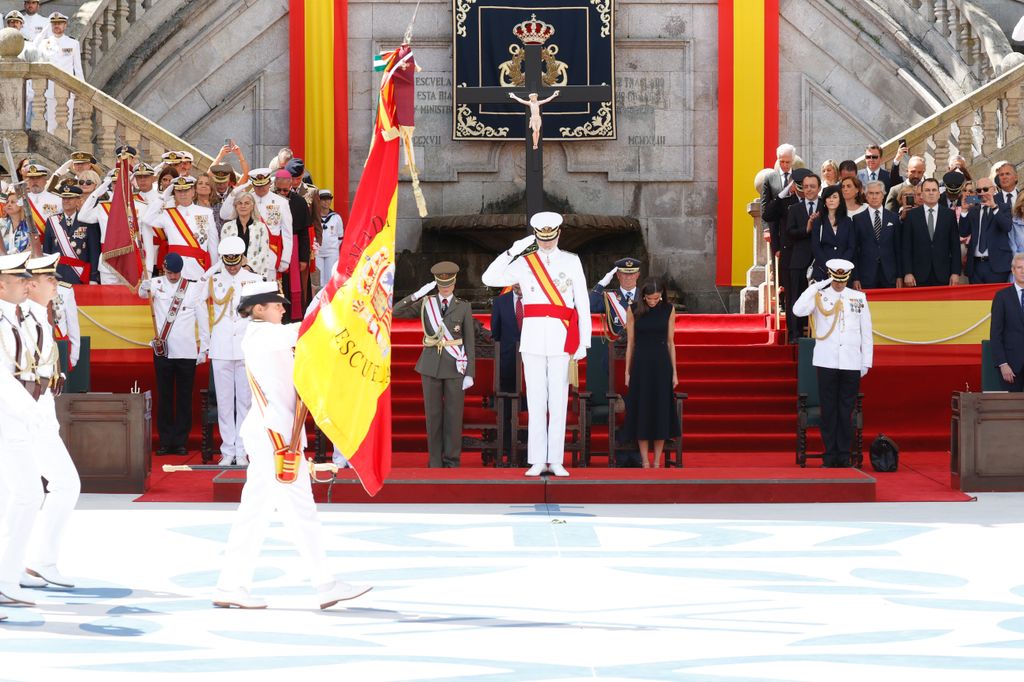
x=557 y=329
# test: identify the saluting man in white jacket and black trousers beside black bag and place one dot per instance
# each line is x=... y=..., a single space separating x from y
x=843 y=353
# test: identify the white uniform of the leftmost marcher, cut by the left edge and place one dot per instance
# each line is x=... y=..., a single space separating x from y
x=21 y=489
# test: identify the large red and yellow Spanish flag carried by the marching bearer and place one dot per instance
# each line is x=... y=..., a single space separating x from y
x=344 y=358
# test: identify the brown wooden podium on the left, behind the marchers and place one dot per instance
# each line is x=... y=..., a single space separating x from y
x=110 y=438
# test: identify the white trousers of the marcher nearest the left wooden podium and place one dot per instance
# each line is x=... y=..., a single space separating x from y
x=63 y=484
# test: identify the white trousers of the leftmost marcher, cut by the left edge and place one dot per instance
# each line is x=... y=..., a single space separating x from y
x=22 y=492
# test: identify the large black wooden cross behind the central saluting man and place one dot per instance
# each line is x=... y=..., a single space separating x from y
x=533 y=71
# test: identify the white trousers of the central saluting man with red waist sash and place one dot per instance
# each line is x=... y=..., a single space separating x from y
x=547 y=398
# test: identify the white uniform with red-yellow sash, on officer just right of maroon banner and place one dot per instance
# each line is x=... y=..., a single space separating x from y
x=191 y=233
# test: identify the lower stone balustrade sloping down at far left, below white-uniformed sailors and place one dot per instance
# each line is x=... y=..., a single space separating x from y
x=100 y=123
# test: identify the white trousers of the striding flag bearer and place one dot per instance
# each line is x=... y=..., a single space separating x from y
x=261 y=496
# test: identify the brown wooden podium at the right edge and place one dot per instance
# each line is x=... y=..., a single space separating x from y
x=986 y=439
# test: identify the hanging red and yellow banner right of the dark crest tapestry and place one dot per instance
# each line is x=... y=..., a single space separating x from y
x=748 y=124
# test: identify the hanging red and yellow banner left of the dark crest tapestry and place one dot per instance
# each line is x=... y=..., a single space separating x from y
x=319 y=100
